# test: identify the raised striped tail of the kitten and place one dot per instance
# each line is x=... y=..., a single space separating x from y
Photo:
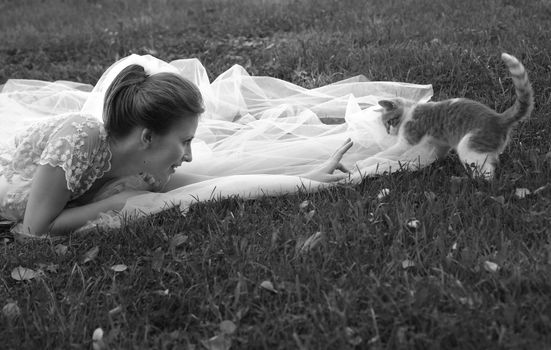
x=525 y=96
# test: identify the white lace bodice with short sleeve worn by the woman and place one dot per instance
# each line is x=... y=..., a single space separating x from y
x=74 y=142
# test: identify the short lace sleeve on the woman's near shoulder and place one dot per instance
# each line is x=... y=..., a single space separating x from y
x=76 y=145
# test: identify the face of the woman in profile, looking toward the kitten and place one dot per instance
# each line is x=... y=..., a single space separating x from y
x=169 y=151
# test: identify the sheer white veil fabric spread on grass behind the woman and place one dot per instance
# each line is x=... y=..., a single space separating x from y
x=256 y=136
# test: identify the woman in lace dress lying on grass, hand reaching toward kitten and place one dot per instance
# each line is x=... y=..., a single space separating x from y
x=64 y=171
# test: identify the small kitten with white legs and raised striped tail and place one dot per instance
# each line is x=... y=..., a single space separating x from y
x=476 y=132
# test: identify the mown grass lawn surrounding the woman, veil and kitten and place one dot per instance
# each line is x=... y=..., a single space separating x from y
x=373 y=282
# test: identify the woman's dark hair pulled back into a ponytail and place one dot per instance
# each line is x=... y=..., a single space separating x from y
x=155 y=101
